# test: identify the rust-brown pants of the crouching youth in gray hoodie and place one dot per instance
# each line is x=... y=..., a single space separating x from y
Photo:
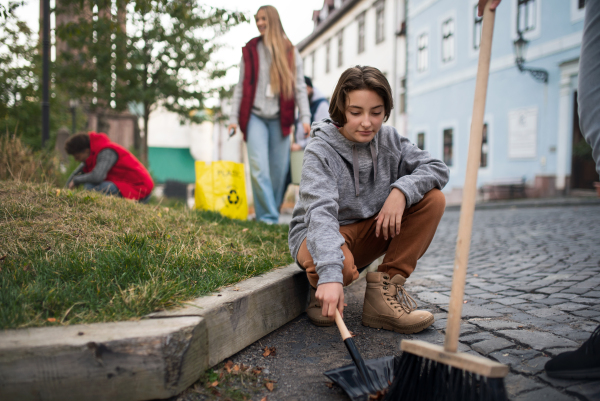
x=419 y=223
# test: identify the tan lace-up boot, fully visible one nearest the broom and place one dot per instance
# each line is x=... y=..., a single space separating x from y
x=388 y=306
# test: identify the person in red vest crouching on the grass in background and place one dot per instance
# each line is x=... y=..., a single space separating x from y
x=108 y=168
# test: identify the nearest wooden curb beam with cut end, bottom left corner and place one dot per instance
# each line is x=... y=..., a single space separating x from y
x=135 y=360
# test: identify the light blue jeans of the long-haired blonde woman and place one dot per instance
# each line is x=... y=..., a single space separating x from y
x=269 y=156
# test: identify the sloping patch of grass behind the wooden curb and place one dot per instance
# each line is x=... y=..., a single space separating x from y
x=80 y=257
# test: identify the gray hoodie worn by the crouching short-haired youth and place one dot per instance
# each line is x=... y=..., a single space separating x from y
x=344 y=182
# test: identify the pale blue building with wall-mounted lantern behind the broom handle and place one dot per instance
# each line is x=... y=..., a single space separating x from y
x=531 y=127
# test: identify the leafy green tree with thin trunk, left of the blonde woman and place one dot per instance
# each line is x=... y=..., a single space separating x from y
x=147 y=52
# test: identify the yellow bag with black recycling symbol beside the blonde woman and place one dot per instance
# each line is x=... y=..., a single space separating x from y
x=221 y=187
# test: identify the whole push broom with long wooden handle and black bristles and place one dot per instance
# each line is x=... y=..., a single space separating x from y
x=431 y=372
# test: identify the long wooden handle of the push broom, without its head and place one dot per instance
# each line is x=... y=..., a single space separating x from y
x=467 y=209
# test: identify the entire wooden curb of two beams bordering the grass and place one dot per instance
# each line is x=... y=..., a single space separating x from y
x=157 y=357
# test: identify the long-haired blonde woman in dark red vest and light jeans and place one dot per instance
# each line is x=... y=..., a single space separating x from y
x=271 y=85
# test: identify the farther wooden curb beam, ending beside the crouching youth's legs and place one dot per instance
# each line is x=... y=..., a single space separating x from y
x=248 y=311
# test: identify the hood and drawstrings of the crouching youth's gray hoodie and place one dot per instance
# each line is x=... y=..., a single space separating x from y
x=351 y=152
